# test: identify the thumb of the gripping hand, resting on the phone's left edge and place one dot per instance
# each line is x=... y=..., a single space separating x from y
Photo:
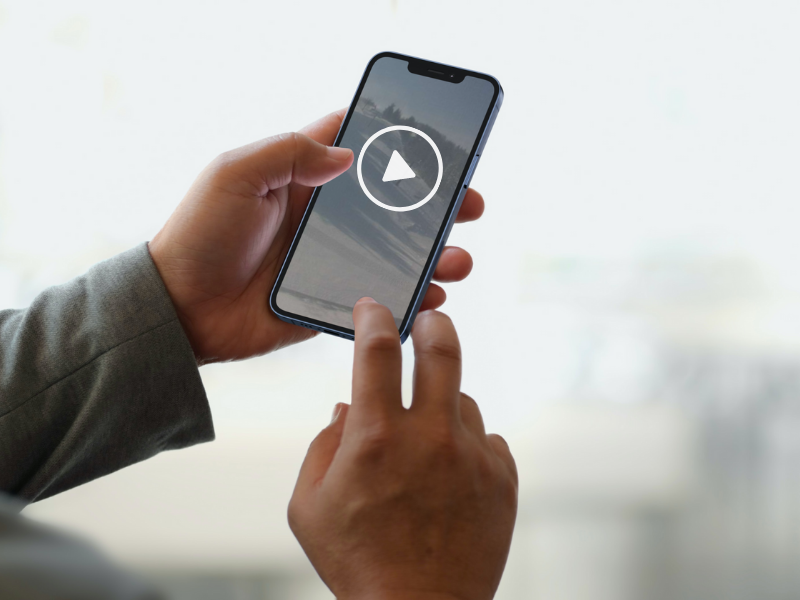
x=277 y=161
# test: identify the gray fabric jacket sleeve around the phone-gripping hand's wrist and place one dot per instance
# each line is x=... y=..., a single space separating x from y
x=95 y=375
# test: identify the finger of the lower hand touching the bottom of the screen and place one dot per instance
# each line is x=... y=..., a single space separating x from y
x=377 y=362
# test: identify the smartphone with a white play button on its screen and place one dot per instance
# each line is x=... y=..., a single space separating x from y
x=417 y=129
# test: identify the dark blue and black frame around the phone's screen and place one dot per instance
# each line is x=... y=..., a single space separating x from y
x=423 y=68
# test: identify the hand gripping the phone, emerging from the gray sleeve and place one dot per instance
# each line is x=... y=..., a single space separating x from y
x=220 y=252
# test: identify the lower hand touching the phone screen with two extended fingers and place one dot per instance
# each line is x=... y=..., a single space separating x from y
x=406 y=503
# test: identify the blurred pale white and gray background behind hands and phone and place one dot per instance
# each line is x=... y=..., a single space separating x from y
x=632 y=324
